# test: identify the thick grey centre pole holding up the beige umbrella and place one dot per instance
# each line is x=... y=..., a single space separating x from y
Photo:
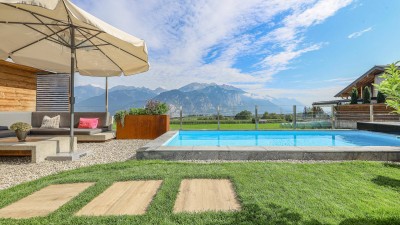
x=71 y=88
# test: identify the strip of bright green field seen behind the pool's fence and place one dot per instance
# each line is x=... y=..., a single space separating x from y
x=245 y=126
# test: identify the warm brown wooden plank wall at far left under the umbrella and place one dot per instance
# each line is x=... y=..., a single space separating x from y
x=17 y=87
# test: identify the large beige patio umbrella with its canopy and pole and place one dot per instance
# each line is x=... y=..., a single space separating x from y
x=57 y=36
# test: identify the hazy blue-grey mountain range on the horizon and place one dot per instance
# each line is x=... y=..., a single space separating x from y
x=195 y=98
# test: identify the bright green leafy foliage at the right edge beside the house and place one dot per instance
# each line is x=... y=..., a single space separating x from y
x=390 y=86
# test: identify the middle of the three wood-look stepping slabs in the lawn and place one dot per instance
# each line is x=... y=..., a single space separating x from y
x=123 y=198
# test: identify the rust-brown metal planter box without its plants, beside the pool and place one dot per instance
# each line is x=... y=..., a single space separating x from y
x=143 y=127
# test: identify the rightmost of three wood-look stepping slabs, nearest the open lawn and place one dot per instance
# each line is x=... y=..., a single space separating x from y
x=200 y=195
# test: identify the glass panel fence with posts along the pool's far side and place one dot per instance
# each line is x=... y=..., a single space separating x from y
x=259 y=117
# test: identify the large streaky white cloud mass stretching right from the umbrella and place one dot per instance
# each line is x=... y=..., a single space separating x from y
x=181 y=35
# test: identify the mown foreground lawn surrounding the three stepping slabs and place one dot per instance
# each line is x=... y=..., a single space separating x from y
x=269 y=192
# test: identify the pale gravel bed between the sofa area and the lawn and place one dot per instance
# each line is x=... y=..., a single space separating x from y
x=16 y=170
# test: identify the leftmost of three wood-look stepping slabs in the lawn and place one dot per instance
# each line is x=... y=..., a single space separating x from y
x=44 y=201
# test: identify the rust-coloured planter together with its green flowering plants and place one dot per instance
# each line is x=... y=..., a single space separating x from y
x=143 y=123
